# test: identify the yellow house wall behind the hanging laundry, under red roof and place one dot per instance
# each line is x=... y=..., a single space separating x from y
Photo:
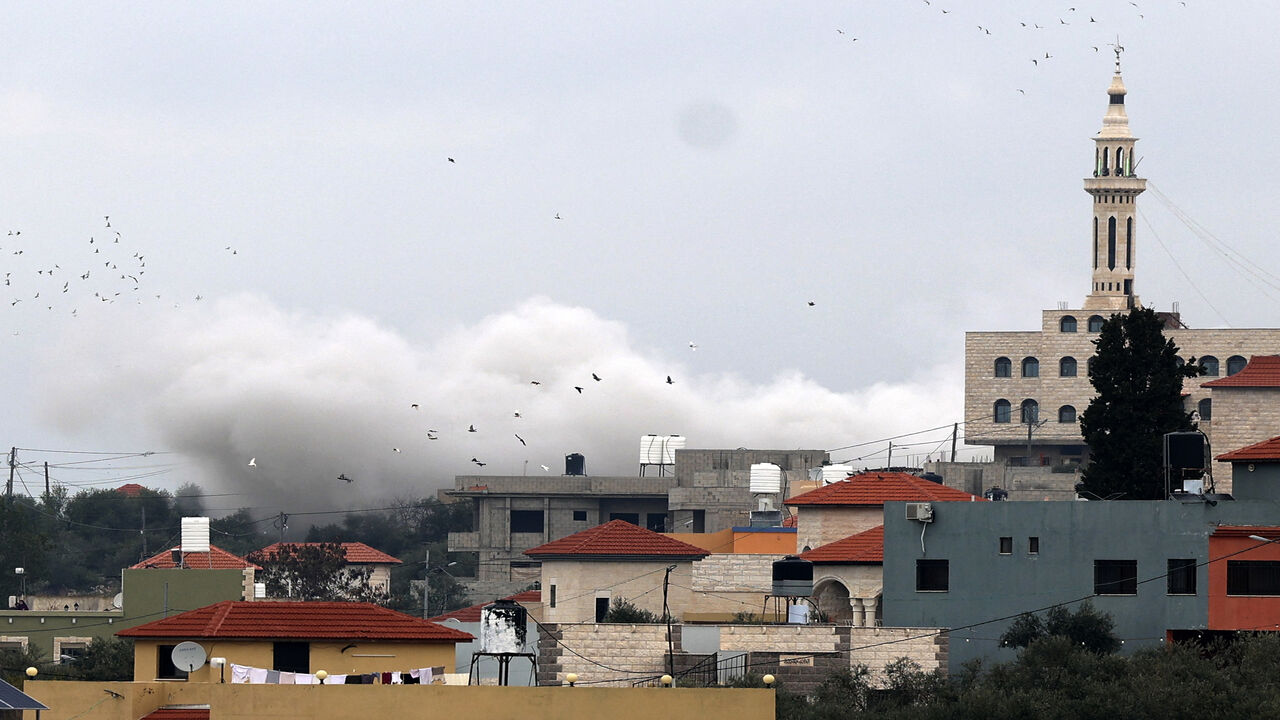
x=328 y=657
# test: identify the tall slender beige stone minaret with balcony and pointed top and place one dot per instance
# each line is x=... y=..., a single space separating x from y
x=1116 y=190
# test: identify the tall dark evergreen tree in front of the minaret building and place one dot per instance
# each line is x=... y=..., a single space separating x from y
x=1139 y=379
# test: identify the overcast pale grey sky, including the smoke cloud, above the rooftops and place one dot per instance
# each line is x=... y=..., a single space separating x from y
x=301 y=262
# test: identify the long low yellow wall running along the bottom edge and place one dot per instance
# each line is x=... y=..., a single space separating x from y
x=88 y=701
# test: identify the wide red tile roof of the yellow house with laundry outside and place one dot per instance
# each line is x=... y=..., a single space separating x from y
x=239 y=619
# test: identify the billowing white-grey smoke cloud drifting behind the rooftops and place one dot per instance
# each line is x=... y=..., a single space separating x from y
x=312 y=398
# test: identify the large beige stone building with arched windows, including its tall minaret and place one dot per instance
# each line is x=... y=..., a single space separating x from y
x=1026 y=391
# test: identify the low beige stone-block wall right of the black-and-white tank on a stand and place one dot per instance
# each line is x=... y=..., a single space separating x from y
x=801 y=657
